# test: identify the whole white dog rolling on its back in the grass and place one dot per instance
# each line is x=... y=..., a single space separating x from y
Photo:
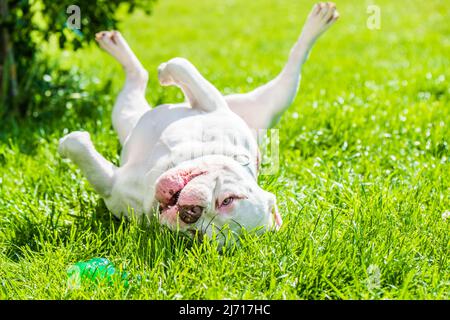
x=196 y=161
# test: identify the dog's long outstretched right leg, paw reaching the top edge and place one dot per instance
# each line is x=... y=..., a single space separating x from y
x=262 y=107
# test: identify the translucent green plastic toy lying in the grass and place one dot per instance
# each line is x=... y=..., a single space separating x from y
x=93 y=271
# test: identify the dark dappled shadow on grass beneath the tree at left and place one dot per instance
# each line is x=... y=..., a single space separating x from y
x=57 y=99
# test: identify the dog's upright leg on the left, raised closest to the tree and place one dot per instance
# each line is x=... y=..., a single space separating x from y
x=130 y=103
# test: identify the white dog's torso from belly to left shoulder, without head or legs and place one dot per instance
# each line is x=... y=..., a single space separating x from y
x=167 y=136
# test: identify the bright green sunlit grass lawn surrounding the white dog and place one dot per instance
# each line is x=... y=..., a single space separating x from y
x=365 y=162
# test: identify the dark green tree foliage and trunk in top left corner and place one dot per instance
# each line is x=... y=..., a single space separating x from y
x=26 y=24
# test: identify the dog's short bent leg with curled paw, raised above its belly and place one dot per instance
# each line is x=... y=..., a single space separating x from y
x=197 y=90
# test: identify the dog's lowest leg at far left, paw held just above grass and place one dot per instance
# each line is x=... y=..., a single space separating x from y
x=78 y=147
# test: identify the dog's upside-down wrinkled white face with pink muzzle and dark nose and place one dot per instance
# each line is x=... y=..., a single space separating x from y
x=212 y=194
